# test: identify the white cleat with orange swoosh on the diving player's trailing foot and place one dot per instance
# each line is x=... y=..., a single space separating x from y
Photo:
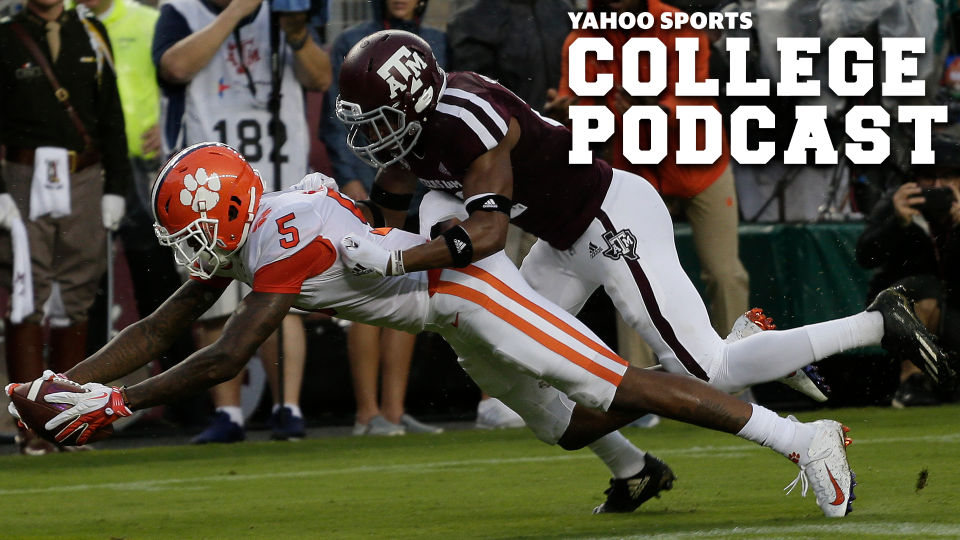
x=825 y=467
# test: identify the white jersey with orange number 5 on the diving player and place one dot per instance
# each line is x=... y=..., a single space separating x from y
x=292 y=248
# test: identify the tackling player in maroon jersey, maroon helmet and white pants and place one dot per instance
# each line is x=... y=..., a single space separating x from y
x=597 y=226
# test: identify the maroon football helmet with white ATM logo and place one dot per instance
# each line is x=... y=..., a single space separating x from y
x=389 y=84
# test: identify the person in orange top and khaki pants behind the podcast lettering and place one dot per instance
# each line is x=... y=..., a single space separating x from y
x=705 y=192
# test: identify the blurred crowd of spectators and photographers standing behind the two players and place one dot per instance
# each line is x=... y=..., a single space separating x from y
x=96 y=94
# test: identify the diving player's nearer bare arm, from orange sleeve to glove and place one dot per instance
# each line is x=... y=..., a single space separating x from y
x=257 y=316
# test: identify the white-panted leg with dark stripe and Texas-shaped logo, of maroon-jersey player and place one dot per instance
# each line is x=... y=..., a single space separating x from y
x=642 y=273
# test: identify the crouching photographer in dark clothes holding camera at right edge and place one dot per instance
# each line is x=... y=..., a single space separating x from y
x=912 y=239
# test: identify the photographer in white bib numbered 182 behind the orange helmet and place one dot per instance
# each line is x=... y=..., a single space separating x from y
x=213 y=58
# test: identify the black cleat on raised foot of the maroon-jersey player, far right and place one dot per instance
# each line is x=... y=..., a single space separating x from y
x=905 y=336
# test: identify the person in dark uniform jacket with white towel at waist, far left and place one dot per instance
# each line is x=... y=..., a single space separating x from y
x=66 y=169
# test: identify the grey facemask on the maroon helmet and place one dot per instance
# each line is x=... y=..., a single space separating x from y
x=380 y=137
